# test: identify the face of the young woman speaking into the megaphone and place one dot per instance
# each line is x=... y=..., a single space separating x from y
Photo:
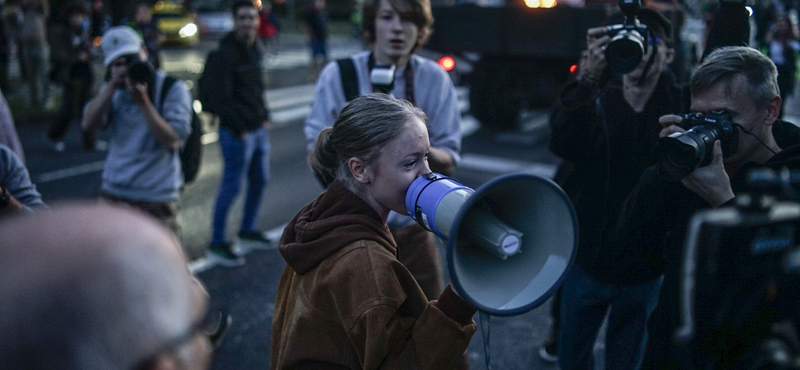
x=400 y=162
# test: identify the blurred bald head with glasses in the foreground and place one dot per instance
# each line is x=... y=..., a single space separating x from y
x=89 y=286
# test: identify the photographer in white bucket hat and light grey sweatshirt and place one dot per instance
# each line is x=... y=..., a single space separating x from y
x=143 y=167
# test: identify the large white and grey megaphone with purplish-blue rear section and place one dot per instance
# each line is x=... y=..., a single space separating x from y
x=509 y=244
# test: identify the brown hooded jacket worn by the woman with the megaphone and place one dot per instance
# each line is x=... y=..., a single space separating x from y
x=345 y=302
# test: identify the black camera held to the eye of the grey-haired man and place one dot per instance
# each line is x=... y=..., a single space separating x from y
x=681 y=153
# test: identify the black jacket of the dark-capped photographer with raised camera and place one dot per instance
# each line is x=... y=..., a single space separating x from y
x=606 y=147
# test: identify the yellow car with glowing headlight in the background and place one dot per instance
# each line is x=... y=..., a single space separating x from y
x=176 y=23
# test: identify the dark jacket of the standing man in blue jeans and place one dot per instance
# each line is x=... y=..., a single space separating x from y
x=235 y=78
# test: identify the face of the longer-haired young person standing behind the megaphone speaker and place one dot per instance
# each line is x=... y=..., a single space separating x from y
x=395 y=36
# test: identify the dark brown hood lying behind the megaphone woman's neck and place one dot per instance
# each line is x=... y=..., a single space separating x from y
x=334 y=220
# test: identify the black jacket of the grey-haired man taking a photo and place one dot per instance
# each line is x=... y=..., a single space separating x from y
x=660 y=209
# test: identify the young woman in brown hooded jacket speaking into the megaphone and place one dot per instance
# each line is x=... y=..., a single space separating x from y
x=344 y=299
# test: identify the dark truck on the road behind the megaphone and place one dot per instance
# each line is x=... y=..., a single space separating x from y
x=522 y=55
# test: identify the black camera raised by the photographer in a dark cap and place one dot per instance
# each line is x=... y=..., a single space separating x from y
x=628 y=43
